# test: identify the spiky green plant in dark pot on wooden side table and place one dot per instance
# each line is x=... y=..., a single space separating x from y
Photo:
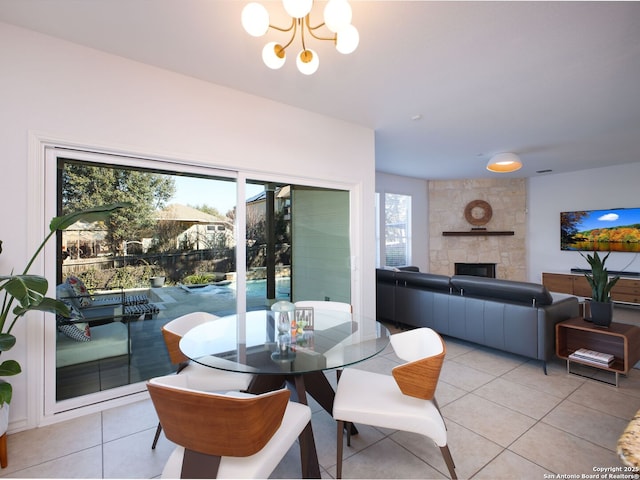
x=601 y=284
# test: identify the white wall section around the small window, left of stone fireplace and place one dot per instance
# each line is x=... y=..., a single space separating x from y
x=419 y=191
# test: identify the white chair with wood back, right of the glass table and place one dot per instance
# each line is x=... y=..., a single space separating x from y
x=402 y=401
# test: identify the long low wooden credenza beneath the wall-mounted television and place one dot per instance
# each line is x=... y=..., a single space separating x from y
x=627 y=290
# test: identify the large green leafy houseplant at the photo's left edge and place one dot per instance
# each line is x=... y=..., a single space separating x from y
x=29 y=292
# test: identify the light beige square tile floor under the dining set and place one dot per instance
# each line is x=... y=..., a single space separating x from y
x=505 y=420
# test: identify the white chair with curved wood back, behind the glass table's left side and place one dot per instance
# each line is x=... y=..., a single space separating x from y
x=209 y=379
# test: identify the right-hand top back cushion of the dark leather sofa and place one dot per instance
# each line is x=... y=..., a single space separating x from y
x=509 y=290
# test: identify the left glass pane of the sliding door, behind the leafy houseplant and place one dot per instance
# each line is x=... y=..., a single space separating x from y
x=171 y=253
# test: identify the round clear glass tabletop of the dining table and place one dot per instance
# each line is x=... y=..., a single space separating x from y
x=253 y=343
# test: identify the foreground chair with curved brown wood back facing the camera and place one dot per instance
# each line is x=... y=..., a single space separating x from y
x=233 y=435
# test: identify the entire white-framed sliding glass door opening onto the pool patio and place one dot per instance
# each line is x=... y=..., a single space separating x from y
x=174 y=251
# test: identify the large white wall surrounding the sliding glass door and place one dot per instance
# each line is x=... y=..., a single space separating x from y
x=61 y=90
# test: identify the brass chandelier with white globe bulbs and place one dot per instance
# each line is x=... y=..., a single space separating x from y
x=337 y=20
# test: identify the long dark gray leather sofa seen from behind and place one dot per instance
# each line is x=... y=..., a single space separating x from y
x=516 y=317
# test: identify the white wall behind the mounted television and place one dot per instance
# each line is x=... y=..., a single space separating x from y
x=594 y=189
